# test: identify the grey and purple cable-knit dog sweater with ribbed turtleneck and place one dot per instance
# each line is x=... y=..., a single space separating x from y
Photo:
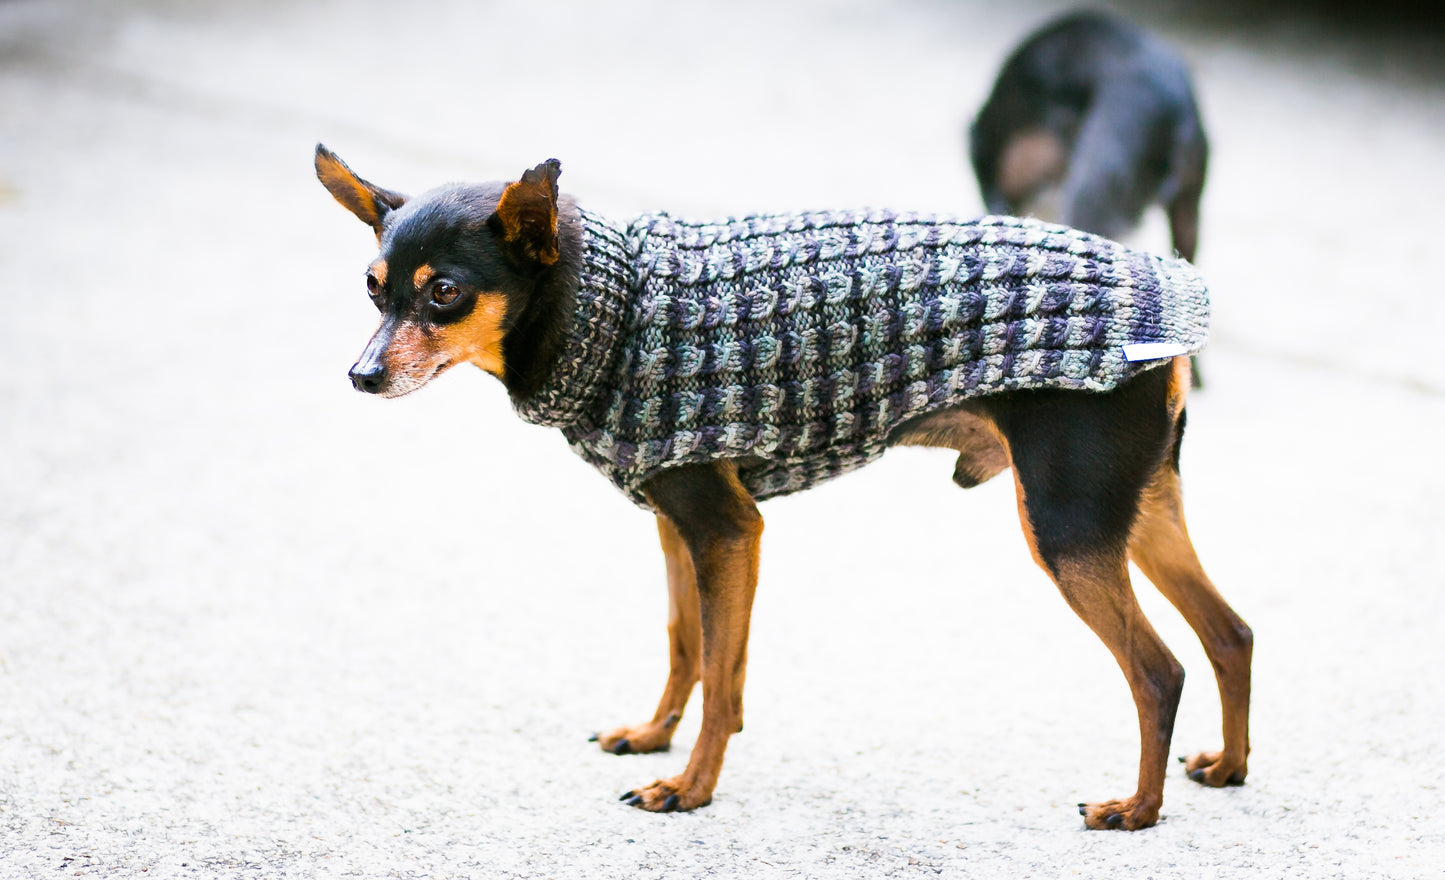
x=797 y=343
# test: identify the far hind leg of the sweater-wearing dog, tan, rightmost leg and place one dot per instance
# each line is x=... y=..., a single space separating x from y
x=1163 y=550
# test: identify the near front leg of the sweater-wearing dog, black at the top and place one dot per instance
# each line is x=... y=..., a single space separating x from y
x=722 y=530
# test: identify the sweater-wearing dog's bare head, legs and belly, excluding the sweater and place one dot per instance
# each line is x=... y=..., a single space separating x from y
x=488 y=274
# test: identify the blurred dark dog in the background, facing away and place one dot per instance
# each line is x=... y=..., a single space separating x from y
x=1090 y=122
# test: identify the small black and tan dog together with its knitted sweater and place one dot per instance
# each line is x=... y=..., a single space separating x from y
x=704 y=368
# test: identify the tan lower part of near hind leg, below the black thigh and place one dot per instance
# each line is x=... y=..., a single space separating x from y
x=1096 y=584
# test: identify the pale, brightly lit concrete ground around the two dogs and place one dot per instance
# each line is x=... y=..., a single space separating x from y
x=255 y=625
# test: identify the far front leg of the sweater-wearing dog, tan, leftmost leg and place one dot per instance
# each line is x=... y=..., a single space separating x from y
x=686 y=654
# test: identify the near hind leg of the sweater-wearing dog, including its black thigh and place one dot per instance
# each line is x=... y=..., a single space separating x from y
x=1082 y=463
